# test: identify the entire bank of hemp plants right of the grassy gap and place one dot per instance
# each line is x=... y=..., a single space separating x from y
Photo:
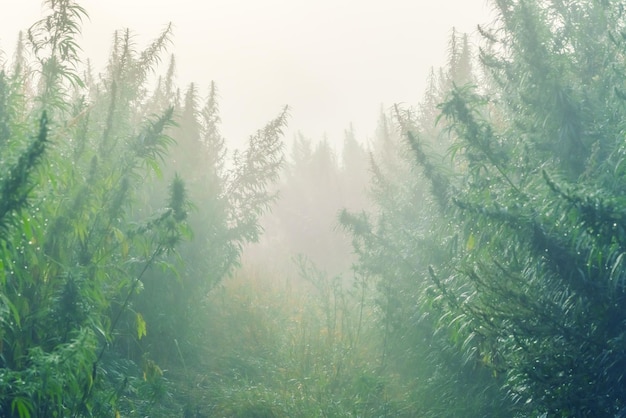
x=510 y=265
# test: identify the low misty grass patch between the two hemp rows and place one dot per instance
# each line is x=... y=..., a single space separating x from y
x=298 y=347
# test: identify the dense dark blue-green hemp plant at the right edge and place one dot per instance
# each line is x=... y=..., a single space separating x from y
x=538 y=204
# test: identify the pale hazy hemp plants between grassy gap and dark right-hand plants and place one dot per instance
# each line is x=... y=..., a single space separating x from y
x=394 y=246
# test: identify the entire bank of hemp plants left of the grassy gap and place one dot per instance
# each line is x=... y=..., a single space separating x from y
x=83 y=245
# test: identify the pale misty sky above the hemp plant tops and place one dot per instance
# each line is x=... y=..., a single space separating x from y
x=332 y=61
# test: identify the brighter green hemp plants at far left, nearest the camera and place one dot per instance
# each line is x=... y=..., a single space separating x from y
x=76 y=252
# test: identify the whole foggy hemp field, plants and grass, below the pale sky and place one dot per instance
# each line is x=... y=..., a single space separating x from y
x=465 y=260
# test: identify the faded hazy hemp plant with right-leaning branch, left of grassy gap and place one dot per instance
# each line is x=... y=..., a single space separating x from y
x=229 y=198
